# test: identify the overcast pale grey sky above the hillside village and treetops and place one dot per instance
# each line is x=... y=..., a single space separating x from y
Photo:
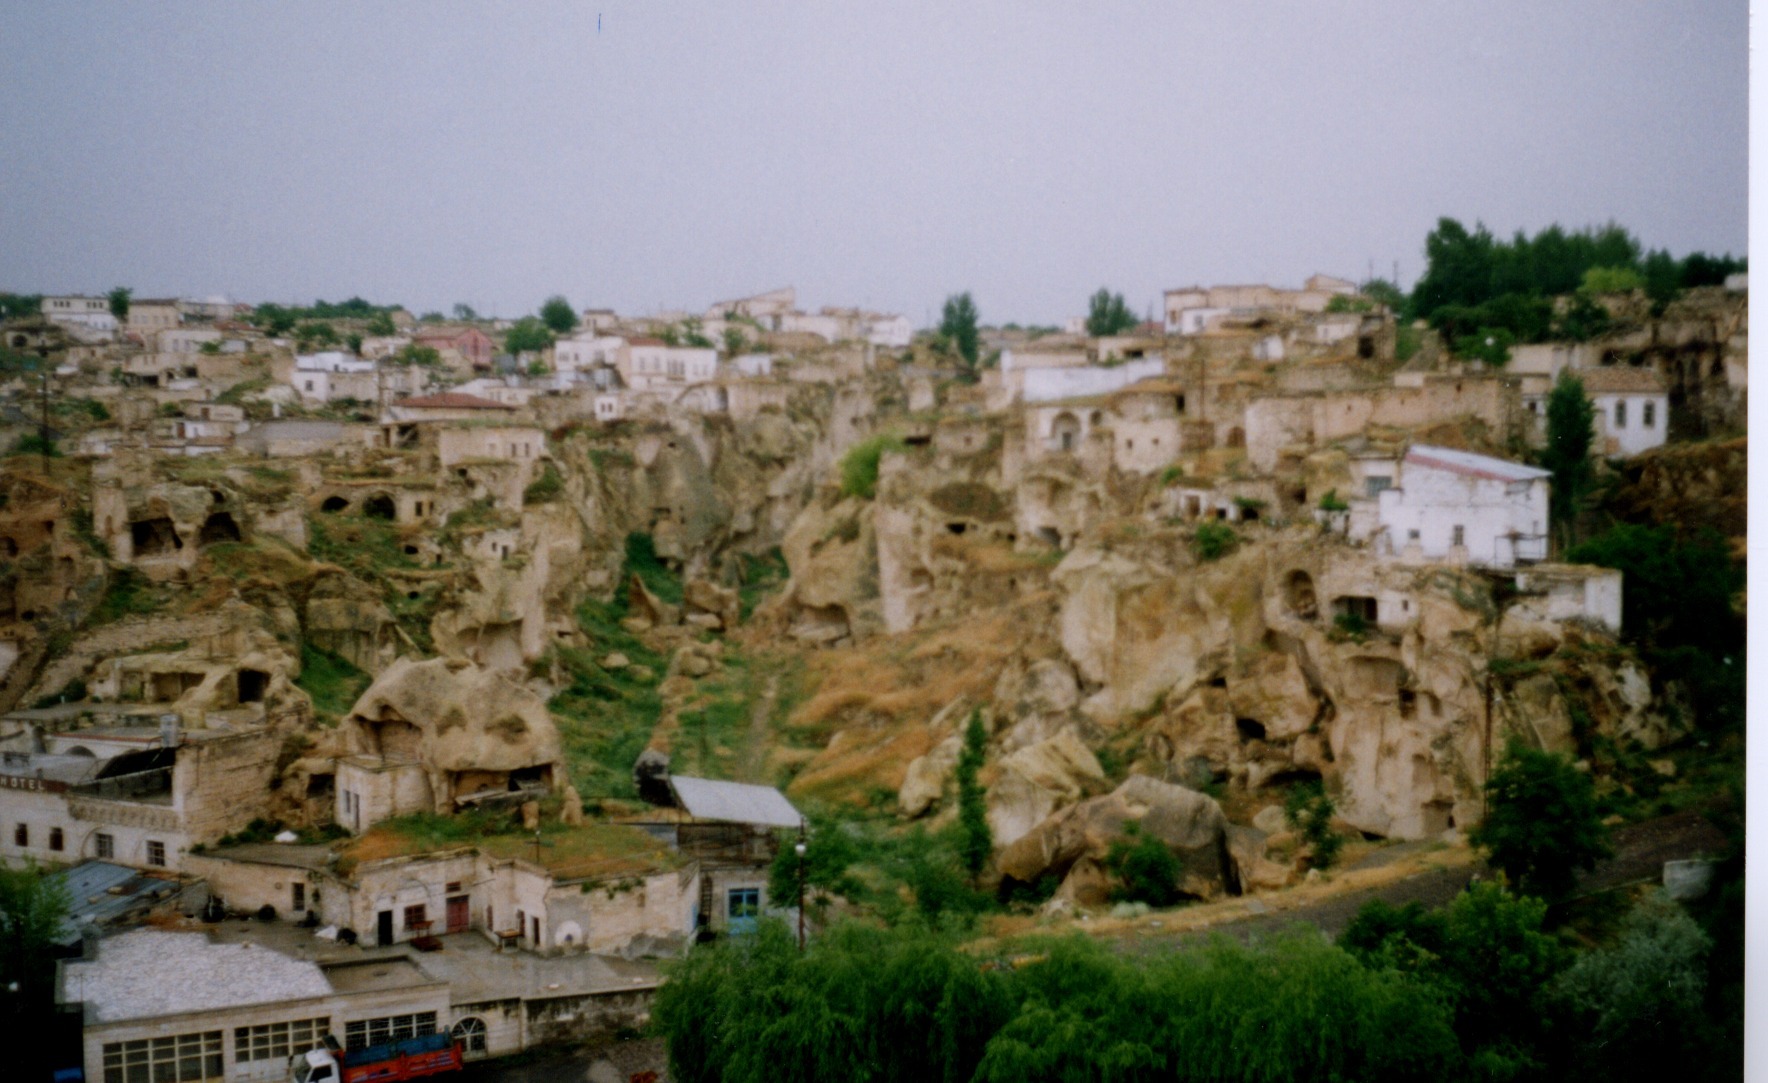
x=662 y=155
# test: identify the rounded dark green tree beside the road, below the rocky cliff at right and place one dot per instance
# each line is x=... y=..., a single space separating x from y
x=1541 y=822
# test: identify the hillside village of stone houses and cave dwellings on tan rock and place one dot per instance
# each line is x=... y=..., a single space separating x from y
x=462 y=685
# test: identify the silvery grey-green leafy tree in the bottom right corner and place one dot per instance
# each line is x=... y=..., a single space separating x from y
x=1638 y=1006
